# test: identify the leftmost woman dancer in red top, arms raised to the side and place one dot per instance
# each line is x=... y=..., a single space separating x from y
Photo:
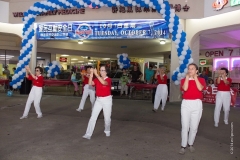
x=36 y=91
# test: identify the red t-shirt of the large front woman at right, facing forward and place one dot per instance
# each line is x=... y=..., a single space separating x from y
x=192 y=92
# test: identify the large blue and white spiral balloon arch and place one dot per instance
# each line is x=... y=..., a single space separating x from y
x=162 y=6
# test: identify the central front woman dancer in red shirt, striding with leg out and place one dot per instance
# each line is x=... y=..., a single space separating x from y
x=103 y=101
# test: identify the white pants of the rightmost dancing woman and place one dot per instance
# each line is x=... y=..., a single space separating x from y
x=223 y=98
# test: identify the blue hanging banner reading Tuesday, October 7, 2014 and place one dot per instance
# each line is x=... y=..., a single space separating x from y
x=132 y=29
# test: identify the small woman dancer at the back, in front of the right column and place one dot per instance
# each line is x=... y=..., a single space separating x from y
x=162 y=90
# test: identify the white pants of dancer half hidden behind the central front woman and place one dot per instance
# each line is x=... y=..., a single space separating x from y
x=88 y=90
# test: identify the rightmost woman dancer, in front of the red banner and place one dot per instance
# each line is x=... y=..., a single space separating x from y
x=223 y=97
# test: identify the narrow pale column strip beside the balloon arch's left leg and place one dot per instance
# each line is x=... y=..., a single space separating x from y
x=33 y=60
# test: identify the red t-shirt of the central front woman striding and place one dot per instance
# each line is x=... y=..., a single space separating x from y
x=103 y=90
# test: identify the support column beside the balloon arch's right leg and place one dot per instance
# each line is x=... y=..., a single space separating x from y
x=174 y=95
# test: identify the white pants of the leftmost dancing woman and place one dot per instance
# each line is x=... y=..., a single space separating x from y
x=34 y=96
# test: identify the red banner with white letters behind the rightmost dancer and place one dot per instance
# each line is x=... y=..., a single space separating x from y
x=210 y=95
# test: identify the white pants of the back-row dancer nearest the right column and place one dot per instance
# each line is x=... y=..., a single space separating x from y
x=161 y=94
